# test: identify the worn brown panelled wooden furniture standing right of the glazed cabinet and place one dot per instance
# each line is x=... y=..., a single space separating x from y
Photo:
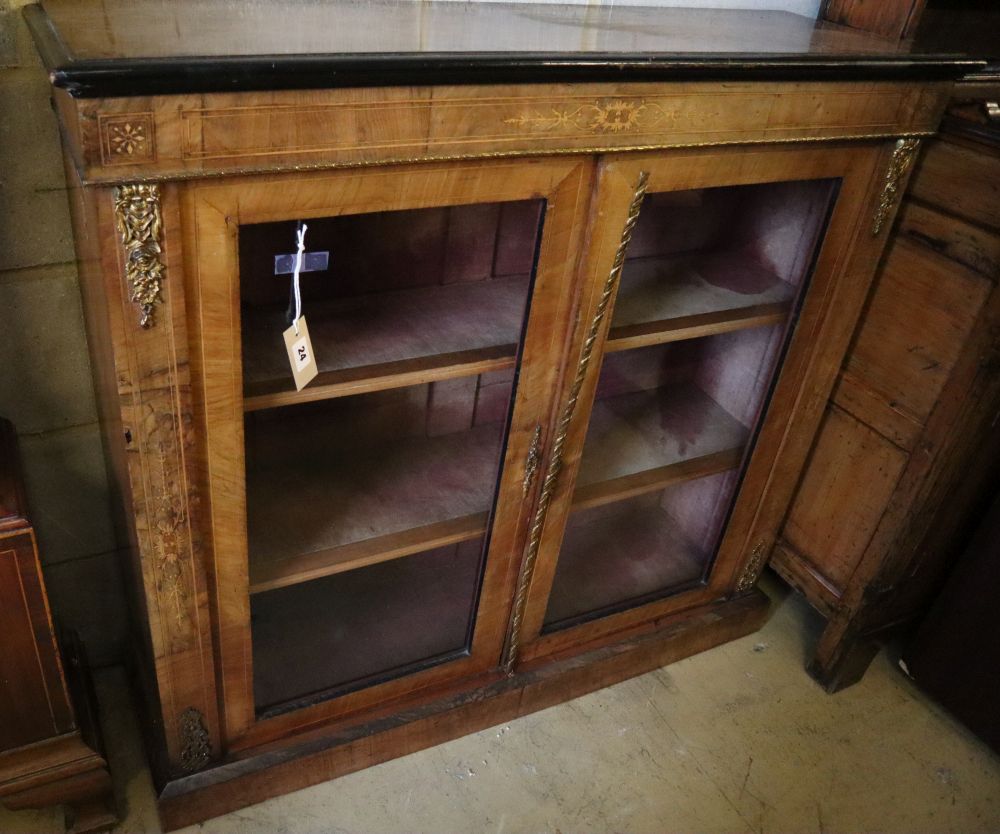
x=909 y=438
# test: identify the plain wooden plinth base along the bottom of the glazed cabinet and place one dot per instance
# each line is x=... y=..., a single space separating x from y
x=233 y=785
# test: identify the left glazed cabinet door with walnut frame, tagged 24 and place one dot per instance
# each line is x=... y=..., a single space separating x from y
x=365 y=528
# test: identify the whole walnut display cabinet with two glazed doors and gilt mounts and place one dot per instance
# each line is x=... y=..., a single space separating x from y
x=578 y=284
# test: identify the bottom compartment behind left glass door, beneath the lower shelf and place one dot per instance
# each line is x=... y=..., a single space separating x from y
x=342 y=632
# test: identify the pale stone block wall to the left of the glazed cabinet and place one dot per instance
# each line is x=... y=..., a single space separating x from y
x=46 y=387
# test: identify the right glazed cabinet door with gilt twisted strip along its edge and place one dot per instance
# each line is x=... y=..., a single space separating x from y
x=720 y=288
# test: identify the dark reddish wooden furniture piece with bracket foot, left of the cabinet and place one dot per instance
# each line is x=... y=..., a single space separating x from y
x=49 y=753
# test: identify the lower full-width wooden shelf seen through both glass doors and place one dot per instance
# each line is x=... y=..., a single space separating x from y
x=344 y=506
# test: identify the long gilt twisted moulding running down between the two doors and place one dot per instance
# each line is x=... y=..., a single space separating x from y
x=562 y=429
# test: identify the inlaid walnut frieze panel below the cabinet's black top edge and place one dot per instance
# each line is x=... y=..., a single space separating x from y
x=182 y=136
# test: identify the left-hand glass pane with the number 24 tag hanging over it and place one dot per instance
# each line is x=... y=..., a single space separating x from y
x=370 y=492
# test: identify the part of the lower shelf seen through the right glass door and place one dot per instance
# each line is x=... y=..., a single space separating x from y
x=647 y=440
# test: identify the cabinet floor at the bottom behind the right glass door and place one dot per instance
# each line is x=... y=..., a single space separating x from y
x=614 y=555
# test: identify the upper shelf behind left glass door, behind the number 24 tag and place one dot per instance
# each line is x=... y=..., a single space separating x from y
x=387 y=340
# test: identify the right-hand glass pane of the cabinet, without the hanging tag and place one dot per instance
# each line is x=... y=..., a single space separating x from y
x=708 y=292
